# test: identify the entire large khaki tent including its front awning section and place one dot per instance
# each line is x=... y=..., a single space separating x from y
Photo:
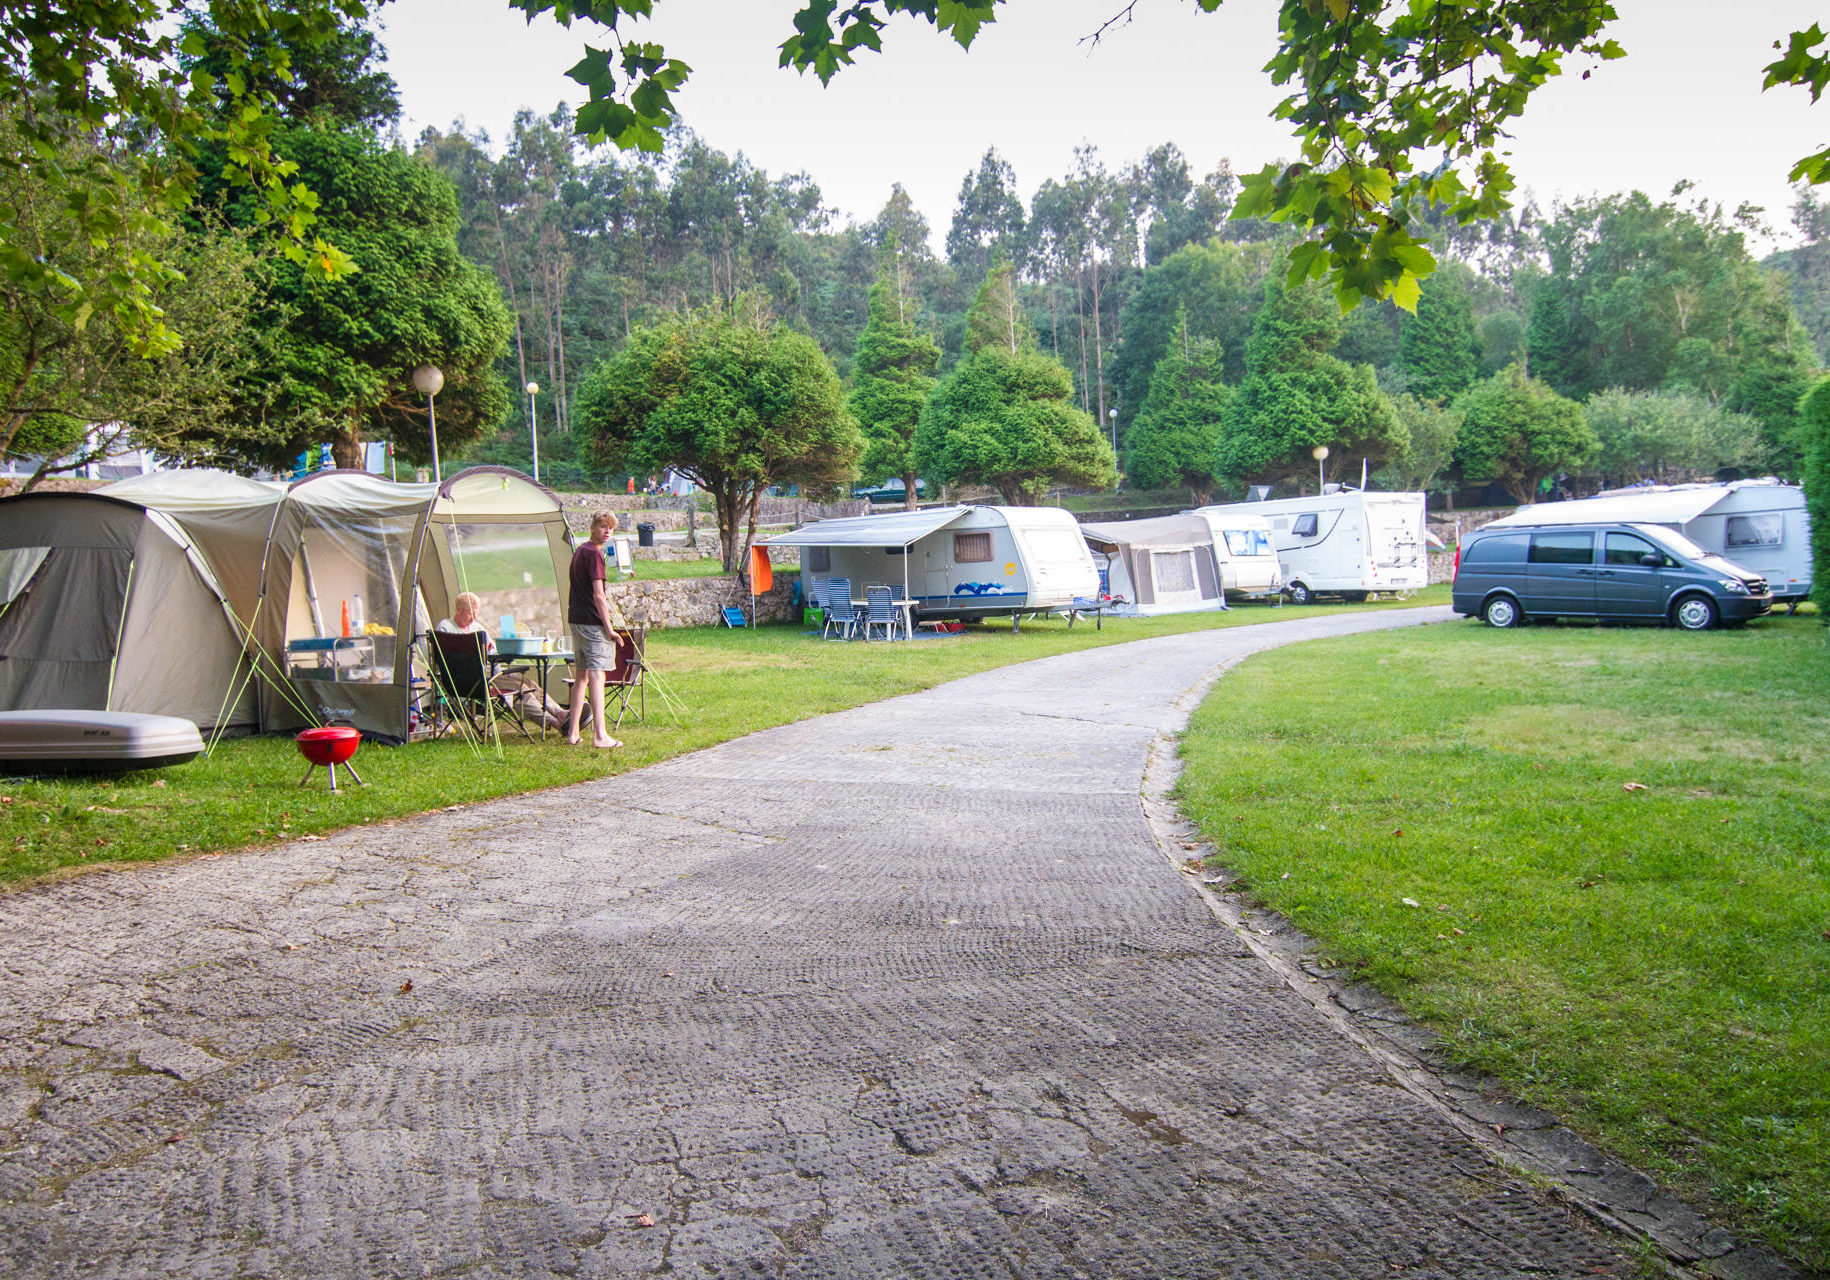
x=281 y=567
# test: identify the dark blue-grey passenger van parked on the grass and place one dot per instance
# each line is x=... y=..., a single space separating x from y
x=1611 y=570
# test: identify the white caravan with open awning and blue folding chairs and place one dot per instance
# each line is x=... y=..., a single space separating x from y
x=956 y=563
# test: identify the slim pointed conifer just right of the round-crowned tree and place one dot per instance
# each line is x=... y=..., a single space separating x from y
x=892 y=378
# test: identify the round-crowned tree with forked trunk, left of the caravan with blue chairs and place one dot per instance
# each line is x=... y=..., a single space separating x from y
x=729 y=398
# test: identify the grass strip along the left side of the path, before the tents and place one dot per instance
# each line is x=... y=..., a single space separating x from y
x=731 y=682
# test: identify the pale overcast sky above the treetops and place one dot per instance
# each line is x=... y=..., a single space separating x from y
x=1685 y=105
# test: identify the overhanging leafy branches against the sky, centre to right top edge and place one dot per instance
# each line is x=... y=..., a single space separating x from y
x=1399 y=109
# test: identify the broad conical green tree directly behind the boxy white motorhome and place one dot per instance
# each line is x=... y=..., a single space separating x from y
x=1298 y=396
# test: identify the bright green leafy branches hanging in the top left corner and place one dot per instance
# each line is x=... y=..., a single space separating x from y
x=109 y=78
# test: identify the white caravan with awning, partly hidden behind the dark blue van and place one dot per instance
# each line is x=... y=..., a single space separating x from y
x=1754 y=523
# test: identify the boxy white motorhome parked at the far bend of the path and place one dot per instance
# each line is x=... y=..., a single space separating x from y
x=1342 y=543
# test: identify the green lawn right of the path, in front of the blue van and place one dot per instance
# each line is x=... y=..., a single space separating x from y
x=1617 y=854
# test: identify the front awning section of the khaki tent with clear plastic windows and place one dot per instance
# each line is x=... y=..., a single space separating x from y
x=294 y=559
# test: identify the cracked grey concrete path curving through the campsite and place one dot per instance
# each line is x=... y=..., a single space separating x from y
x=907 y=992
